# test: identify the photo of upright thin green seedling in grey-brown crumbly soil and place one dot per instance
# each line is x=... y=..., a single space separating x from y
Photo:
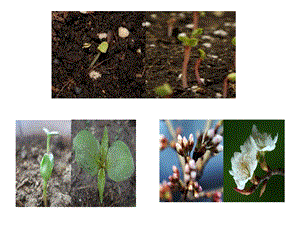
x=43 y=170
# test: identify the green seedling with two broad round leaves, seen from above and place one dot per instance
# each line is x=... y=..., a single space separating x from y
x=97 y=159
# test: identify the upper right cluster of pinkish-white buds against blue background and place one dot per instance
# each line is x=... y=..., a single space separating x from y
x=210 y=140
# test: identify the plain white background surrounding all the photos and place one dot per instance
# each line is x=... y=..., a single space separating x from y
x=267 y=88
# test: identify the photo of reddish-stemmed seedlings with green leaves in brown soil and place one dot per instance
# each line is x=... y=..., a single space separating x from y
x=194 y=66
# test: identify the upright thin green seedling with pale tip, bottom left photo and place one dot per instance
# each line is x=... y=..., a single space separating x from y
x=47 y=163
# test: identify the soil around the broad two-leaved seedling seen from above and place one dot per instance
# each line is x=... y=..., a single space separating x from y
x=84 y=189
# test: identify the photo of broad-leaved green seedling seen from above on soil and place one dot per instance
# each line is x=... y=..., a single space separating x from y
x=103 y=163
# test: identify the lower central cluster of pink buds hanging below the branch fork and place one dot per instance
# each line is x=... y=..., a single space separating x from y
x=190 y=178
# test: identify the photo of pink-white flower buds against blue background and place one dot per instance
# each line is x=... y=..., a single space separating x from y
x=191 y=160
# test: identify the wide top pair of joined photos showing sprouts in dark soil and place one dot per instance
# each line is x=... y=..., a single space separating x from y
x=143 y=54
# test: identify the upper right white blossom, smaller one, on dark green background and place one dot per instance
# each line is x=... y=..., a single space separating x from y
x=264 y=142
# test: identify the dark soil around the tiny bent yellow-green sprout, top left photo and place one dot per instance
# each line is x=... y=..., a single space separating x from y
x=121 y=66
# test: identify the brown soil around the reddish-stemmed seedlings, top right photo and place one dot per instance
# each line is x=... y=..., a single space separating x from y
x=164 y=55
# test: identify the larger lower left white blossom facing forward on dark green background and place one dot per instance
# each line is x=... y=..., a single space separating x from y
x=243 y=167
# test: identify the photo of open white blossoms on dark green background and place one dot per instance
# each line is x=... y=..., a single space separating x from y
x=255 y=168
